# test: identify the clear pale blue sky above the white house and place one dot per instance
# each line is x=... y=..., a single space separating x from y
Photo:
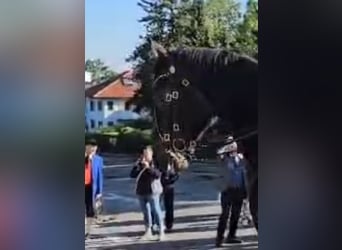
x=112 y=30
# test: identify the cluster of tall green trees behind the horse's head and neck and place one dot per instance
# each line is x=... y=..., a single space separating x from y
x=195 y=23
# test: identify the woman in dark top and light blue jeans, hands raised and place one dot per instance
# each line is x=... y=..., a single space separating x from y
x=145 y=173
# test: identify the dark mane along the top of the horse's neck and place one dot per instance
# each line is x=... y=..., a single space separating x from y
x=210 y=60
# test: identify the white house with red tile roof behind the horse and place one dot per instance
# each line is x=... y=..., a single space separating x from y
x=106 y=102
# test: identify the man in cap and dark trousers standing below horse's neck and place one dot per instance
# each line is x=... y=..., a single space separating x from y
x=233 y=191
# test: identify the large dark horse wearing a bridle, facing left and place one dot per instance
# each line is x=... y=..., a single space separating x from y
x=194 y=88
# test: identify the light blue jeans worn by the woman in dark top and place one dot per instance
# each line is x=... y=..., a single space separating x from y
x=151 y=204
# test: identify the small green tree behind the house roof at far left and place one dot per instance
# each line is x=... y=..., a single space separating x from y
x=100 y=72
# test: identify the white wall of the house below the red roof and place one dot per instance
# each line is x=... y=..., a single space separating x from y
x=106 y=114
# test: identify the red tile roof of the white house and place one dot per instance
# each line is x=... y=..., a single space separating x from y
x=114 y=89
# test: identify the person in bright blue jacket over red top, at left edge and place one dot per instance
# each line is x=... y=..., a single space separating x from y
x=93 y=181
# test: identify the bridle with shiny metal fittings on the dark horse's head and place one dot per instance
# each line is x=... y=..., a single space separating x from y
x=171 y=141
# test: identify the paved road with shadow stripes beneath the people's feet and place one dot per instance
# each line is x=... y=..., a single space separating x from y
x=197 y=210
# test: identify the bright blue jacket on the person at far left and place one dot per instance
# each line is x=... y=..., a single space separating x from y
x=97 y=175
